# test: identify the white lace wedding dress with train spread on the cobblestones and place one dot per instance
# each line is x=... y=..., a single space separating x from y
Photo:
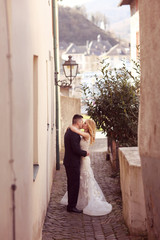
x=90 y=199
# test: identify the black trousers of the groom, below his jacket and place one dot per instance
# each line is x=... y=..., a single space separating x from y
x=73 y=180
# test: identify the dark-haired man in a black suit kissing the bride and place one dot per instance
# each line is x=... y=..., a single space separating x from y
x=71 y=162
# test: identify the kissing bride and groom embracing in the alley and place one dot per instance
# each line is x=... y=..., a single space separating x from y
x=83 y=192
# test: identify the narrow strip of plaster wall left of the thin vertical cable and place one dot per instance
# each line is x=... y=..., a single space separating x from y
x=6 y=172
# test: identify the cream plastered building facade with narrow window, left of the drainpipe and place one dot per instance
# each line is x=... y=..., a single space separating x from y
x=27 y=116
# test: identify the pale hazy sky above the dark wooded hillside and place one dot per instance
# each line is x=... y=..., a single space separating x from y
x=118 y=17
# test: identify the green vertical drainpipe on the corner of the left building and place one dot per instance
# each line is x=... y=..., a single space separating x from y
x=56 y=69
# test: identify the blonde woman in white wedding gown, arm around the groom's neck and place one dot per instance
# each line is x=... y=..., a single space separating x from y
x=90 y=199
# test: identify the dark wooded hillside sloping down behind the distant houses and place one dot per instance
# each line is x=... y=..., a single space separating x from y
x=75 y=27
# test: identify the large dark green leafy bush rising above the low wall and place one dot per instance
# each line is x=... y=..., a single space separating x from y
x=114 y=103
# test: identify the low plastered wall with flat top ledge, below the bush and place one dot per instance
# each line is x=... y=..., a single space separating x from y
x=134 y=211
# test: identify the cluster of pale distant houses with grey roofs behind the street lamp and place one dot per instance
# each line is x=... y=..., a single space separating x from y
x=89 y=57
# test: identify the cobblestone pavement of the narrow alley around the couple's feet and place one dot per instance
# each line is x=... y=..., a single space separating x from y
x=61 y=225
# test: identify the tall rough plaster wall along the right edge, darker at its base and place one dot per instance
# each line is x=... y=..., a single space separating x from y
x=149 y=127
